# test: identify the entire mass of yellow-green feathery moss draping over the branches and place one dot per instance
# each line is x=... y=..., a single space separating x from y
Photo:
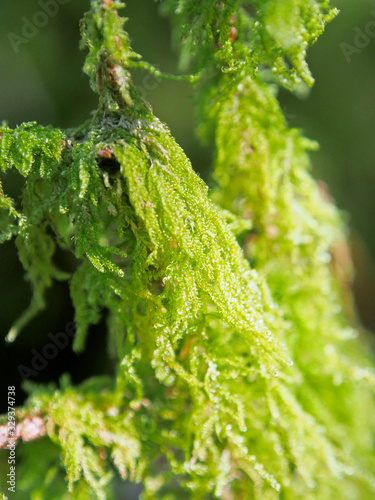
x=239 y=373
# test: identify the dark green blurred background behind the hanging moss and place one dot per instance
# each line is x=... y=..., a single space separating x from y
x=41 y=80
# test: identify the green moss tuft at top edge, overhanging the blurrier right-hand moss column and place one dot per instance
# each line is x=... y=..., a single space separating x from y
x=267 y=37
